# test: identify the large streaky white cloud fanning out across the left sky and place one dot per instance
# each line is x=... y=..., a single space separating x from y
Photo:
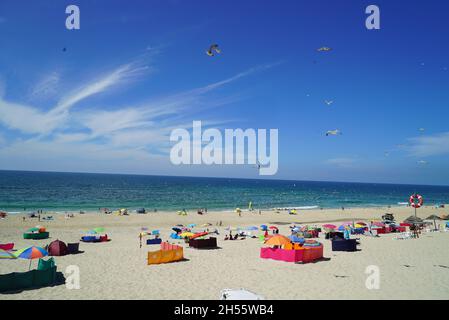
x=125 y=134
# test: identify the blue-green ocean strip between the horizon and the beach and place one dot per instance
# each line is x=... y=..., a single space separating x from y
x=60 y=192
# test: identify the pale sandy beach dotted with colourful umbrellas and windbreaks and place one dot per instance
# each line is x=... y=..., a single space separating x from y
x=409 y=269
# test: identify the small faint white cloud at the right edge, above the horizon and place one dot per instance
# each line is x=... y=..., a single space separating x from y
x=430 y=145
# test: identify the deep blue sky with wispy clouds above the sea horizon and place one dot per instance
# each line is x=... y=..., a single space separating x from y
x=134 y=72
